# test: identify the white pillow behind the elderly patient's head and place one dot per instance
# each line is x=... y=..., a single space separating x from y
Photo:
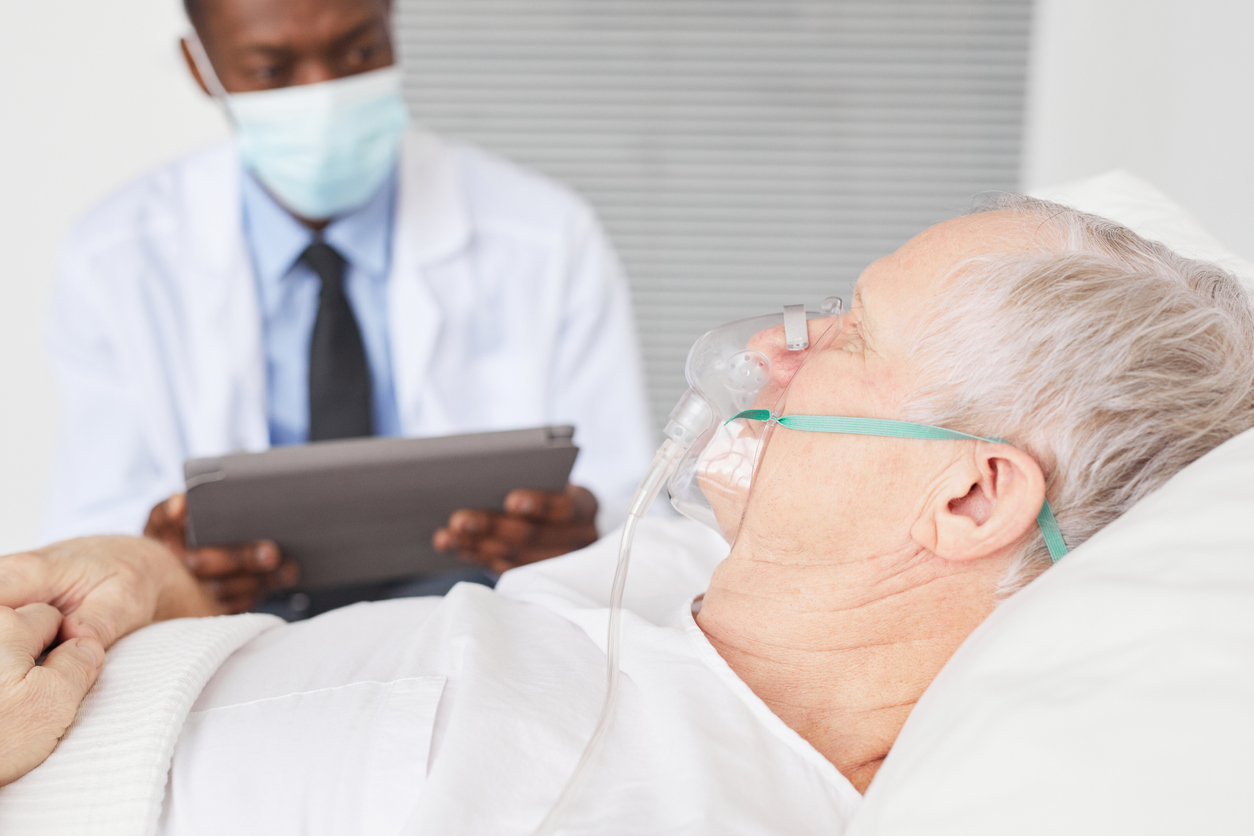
x=1115 y=695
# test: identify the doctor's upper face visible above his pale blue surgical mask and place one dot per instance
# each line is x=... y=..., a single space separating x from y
x=268 y=44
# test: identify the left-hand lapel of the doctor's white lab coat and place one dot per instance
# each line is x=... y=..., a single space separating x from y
x=226 y=392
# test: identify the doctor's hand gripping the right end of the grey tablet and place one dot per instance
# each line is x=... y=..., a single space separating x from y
x=536 y=526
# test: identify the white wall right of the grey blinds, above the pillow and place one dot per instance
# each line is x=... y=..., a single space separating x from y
x=1162 y=88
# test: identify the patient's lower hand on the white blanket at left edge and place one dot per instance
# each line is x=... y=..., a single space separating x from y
x=38 y=703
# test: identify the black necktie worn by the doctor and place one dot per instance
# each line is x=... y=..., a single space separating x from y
x=339 y=373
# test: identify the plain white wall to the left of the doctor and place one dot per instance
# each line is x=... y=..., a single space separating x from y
x=92 y=93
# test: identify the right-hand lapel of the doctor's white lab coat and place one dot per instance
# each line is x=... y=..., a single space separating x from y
x=432 y=227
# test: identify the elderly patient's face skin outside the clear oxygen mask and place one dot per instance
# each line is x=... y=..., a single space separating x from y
x=866 y=493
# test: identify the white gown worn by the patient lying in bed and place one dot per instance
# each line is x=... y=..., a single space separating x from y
x=467 y=715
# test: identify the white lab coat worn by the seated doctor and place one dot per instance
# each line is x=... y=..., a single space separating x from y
x=507 y=309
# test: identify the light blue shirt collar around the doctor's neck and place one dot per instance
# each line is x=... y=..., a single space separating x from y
x=278 y=240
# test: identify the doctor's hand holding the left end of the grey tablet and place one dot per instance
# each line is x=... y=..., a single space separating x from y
x=238 y=576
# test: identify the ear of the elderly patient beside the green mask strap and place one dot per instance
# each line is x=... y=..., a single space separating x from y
x=985 y=504
